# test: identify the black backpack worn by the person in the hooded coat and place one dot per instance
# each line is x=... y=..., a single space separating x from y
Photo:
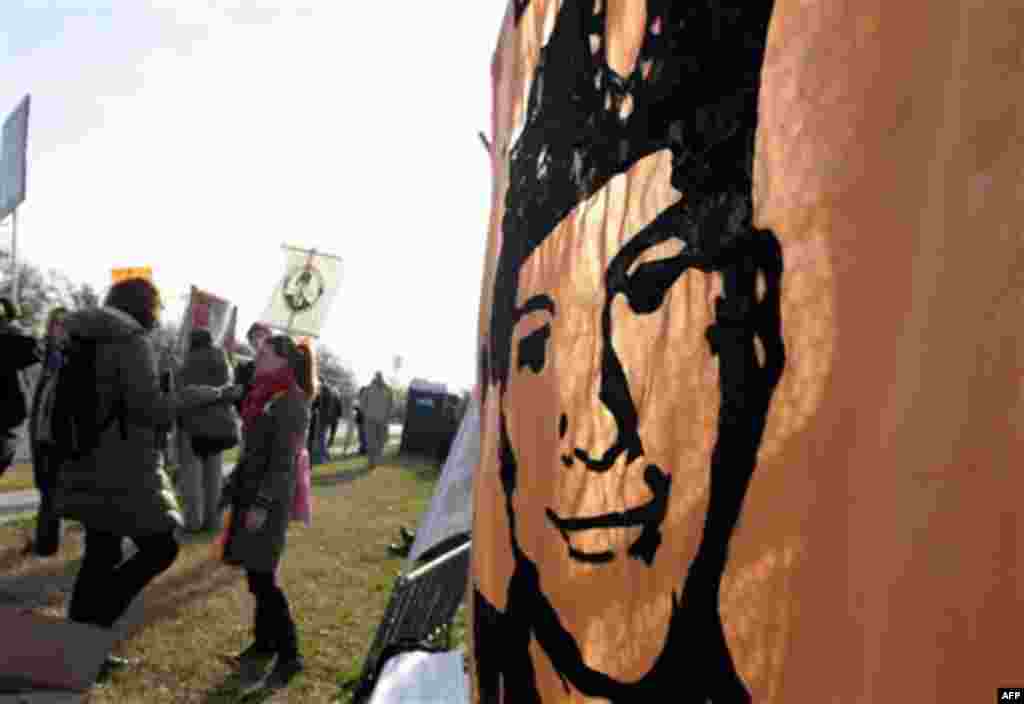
x=67 y=422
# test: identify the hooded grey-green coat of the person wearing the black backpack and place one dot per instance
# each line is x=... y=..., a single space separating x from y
x=122 y=488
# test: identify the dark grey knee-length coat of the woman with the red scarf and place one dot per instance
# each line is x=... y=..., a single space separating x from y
x=266 y=476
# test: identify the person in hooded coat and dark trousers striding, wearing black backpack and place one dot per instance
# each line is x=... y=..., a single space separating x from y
x=121 y=490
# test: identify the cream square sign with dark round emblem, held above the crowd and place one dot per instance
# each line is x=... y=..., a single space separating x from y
x=303 y=298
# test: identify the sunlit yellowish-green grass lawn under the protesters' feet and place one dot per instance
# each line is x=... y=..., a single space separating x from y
x=337 y=575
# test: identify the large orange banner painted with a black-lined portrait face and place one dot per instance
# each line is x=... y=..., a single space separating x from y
x=751 y=355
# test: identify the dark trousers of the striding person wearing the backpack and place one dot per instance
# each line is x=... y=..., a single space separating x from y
x=107 y=584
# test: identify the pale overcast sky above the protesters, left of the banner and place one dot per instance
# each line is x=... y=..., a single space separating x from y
x=198 y=137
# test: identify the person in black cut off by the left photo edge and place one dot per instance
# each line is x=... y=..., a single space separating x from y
x=20 y=353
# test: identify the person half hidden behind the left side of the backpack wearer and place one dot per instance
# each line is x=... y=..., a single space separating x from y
x=48 y=540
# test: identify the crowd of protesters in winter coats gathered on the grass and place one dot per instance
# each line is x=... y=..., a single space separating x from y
x=105 y=416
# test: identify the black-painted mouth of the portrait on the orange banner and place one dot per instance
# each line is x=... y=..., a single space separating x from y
x=650 y=515
